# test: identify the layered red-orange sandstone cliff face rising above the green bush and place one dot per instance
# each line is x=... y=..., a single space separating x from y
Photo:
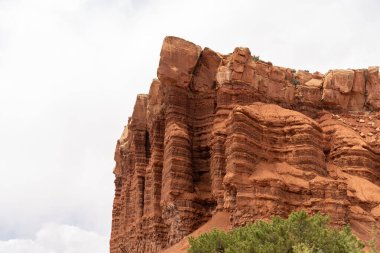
x=235 y=134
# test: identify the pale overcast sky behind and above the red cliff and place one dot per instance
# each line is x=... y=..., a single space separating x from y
x=69 y=74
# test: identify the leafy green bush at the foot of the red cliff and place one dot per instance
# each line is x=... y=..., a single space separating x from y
x=299 y=233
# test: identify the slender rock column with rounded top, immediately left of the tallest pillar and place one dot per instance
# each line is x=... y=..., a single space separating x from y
x=154 y=230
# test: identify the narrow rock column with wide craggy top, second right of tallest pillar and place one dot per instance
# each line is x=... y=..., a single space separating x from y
x=234 y=77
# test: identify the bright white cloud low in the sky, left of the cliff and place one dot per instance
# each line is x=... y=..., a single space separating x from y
x=55 y=238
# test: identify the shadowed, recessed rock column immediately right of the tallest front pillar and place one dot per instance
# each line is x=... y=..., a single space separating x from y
x=201 y=110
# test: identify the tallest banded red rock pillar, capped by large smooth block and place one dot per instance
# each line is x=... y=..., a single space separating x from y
x=177 y=63
